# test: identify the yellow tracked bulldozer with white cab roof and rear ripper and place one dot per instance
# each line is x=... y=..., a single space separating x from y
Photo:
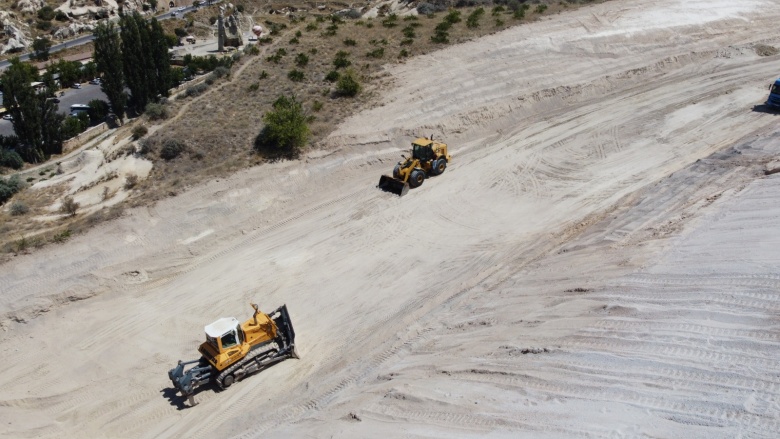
x=233 y=350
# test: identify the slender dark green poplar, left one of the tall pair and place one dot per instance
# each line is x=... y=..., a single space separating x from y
x=108 y=58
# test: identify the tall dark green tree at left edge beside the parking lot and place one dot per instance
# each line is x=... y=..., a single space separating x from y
x=35 y=118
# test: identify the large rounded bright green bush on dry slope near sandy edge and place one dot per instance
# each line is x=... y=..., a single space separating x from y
x=285 y=131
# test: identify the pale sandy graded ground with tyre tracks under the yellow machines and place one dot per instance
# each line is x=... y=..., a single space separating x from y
x=600 y=259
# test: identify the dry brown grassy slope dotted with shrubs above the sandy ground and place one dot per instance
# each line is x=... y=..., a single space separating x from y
x=219 y=127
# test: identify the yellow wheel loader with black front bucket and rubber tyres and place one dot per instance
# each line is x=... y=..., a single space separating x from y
x=428 y=158
